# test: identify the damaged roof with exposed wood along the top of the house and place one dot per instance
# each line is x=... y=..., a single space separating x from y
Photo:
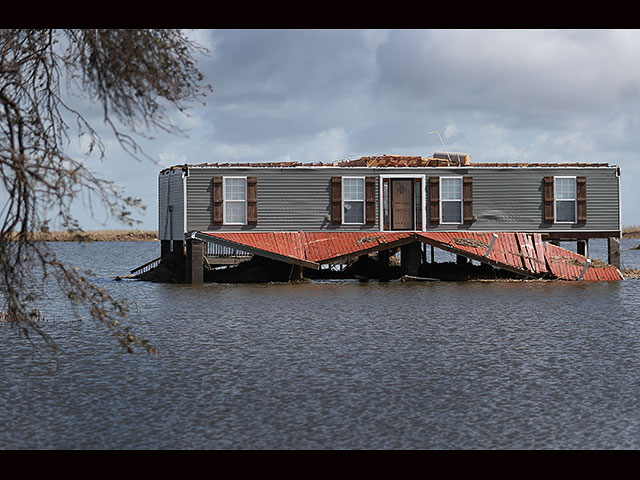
x=438 y=159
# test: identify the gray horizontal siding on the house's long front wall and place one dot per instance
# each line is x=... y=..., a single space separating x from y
x=505 y=199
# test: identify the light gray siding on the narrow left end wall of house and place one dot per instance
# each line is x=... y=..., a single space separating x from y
x=171 y=193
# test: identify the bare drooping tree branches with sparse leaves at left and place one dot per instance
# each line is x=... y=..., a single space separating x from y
x=136 y=76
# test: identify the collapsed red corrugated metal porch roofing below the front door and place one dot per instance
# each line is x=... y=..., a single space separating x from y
x=523 y=253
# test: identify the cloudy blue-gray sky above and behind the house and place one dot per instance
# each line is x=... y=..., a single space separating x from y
x=324 y=95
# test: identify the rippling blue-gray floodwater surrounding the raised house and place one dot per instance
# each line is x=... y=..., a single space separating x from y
x=332 y=365
